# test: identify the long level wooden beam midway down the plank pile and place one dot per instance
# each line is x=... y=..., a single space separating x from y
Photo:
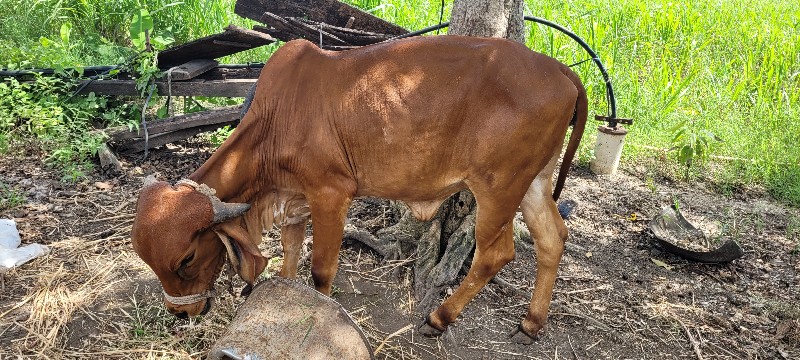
x=222 y=88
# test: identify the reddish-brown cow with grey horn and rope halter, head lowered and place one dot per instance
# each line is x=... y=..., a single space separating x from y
x=414 y=120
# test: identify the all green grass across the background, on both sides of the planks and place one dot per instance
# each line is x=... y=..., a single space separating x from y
x=731 y=68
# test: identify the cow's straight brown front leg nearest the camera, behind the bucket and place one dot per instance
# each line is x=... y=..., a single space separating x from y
x=328 y=211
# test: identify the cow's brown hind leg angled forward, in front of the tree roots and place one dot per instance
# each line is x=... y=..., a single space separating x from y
x=494 y=247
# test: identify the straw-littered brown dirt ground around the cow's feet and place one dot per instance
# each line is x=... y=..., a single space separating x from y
x=617 y=295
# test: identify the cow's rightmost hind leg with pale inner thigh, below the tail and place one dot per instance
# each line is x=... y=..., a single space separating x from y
x=549 y=233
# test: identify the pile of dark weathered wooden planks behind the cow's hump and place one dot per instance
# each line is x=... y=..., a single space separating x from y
x=192 y=69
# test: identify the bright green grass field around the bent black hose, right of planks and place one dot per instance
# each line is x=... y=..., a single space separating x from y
x=731 y=68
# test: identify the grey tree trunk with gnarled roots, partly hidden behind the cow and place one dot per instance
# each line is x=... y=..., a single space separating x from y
x=444 y=244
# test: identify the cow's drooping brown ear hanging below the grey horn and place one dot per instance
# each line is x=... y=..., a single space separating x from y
x=243 y=253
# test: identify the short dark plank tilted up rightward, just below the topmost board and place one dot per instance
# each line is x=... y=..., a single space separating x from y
x=235 y=39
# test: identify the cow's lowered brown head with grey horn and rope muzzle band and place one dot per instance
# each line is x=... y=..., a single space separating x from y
x=184 y=233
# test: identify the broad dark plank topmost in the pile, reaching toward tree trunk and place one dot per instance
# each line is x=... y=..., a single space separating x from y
x=328 y=11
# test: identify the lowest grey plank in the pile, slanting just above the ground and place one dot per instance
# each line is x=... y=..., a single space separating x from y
x=179 y=122
